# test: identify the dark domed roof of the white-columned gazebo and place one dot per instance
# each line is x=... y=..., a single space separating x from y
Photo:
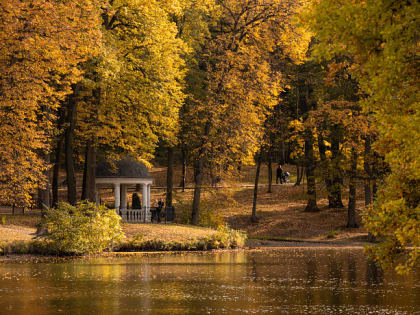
x=125 y=168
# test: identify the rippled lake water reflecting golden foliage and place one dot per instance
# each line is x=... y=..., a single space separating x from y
x=283 y=281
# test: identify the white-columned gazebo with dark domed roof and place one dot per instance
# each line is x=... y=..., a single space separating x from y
x=121 y=174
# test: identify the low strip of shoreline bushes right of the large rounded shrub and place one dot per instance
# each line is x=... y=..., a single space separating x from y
x=224 y=238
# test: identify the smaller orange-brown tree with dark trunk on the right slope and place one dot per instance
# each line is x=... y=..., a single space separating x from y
x=338 y=106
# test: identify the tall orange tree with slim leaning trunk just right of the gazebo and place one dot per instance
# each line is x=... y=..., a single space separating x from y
x=233 y=86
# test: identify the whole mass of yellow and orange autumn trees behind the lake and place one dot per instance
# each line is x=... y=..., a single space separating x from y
x=329 y=86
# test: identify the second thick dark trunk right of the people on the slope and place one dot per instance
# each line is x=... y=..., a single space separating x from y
x=337 y=180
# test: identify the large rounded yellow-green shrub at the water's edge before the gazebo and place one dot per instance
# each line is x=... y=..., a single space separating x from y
x=84 y=229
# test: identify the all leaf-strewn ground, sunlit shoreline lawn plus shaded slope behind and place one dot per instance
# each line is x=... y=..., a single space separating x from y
x=281 y=213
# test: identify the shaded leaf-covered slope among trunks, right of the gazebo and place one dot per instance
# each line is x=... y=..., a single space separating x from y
x=281 y=213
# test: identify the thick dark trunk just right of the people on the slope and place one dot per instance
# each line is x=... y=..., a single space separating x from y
x=310 y=173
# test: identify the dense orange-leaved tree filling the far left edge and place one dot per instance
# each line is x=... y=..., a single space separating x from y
x=42 y=43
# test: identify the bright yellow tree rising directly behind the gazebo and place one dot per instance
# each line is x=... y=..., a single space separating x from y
x=131 y=92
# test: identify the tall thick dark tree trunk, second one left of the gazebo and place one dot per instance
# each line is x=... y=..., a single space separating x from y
x=69 y=148
